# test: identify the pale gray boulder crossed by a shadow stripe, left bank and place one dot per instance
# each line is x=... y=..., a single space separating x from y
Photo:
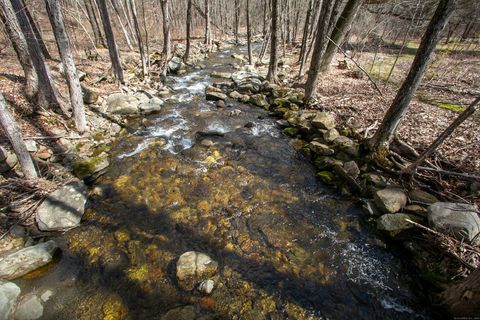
x=63 y=209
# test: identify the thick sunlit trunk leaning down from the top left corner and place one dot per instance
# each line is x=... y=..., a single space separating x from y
x=7 y=16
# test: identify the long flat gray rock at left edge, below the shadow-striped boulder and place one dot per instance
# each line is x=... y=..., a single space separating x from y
x=26 y=260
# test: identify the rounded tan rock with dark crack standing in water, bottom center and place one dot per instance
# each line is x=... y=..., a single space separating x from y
x=194 y=267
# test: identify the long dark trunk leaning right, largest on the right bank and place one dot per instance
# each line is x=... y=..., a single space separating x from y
x=381 y=141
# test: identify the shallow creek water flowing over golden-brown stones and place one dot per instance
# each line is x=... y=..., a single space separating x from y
x=287 y=246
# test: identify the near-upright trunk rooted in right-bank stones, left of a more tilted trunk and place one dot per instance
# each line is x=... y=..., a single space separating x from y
x=318 y=49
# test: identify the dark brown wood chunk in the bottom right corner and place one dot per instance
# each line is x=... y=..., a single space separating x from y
x=463 y=300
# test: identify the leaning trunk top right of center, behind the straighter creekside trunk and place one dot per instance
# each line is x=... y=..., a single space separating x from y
x=343 y=24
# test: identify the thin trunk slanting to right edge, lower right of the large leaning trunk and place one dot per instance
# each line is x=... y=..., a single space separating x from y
x=445 y=134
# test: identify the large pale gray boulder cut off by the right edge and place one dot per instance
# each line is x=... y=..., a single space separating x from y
x=457 y=219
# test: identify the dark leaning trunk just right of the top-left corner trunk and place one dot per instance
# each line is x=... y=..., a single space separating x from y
x=46 y=90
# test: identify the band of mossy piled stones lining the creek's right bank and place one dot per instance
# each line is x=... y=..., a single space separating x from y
x=342 y=161
